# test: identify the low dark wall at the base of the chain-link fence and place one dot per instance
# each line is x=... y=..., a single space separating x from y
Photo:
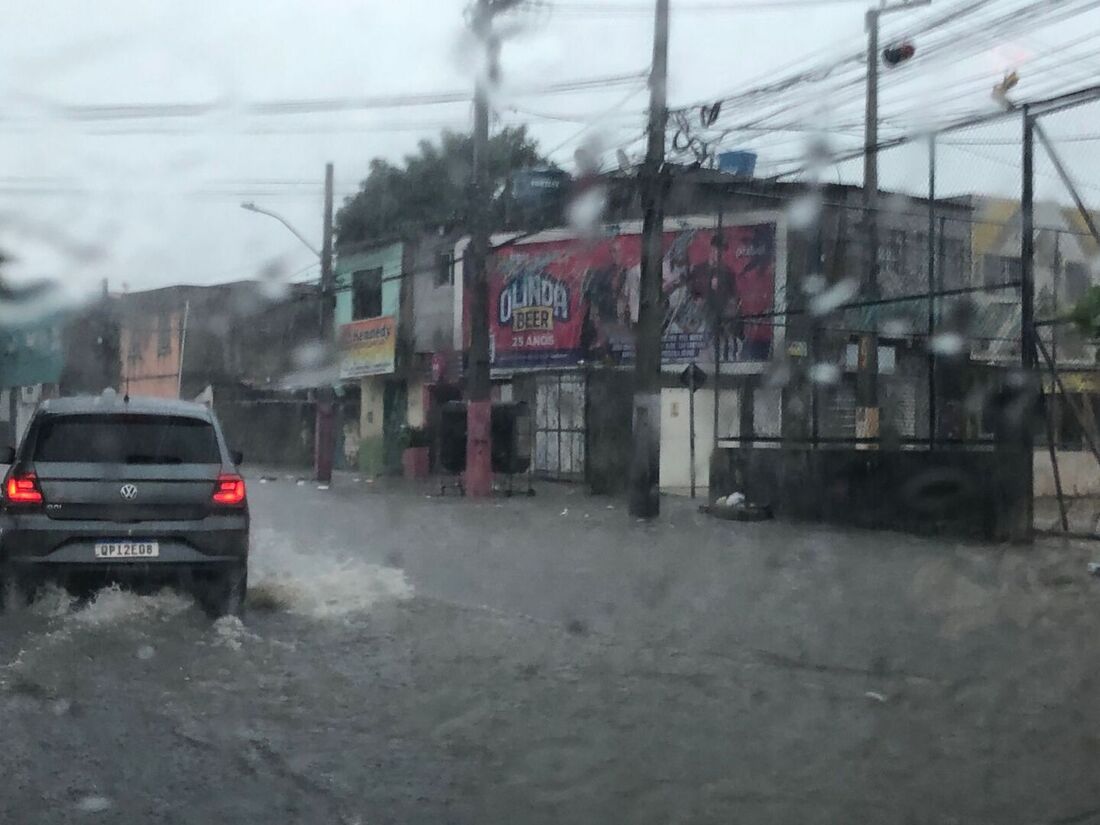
x=973 y=494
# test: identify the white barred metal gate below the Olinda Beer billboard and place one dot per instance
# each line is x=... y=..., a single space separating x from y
x=559 y=426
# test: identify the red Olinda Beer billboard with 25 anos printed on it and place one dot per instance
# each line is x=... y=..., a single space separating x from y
x=558 y=303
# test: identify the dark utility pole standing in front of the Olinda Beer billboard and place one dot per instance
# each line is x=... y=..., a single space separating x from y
x=645 y=467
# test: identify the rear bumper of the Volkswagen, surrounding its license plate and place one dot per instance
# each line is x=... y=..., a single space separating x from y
x=36 y=540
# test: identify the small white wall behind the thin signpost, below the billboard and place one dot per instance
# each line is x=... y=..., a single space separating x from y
x=676 y=452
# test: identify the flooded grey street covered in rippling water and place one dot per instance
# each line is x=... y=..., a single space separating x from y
x=414 y=659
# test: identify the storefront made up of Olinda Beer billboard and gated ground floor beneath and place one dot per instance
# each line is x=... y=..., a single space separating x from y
x=564 y=315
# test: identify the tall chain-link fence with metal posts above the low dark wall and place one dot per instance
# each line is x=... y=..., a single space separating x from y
x=947 y=310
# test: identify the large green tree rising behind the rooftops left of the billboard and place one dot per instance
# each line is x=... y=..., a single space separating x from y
x=432 y=188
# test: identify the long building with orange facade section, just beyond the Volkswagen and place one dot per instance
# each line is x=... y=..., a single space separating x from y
x=237 y=347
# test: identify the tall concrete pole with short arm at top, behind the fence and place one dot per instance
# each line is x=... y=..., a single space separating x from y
x=867 y=405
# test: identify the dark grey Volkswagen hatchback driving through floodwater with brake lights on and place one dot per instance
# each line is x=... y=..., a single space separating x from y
x=138 y=491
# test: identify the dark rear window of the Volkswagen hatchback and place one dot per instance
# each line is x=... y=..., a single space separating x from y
x=127 y=441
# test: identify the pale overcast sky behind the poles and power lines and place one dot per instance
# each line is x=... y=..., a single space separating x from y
x=155 y=201
